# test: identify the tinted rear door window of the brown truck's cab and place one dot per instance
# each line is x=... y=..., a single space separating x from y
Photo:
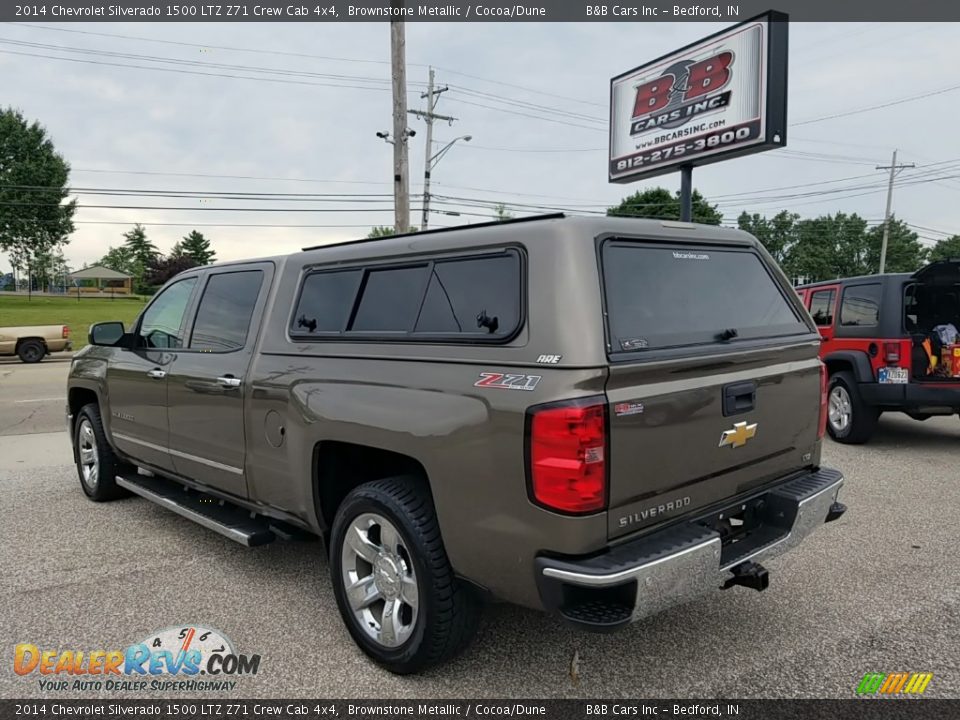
x=226 y=308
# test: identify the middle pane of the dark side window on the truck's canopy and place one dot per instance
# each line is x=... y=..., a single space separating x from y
x=391 y=299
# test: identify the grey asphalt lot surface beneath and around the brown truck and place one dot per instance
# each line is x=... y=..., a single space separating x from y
x=877 y=591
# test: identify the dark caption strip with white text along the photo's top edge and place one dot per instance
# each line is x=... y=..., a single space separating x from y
x=488 y=11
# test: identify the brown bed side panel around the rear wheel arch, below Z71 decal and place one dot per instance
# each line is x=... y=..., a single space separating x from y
x=469 y=440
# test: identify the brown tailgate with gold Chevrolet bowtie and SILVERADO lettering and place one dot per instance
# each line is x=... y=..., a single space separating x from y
x=673 y=449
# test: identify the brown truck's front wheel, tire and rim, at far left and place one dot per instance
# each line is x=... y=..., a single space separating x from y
x=97 y=464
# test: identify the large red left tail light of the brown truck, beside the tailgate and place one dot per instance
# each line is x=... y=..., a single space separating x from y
x=567 y=457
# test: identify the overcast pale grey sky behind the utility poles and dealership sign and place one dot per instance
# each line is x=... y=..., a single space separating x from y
x=294 y=108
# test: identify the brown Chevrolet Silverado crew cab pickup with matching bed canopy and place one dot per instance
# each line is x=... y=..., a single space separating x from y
x=599 y=417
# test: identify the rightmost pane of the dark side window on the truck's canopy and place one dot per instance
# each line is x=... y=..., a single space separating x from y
x=480 y=295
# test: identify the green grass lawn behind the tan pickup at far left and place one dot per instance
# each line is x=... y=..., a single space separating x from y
x=41 y=310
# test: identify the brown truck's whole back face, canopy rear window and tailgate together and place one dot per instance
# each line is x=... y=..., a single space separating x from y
x=714 y=384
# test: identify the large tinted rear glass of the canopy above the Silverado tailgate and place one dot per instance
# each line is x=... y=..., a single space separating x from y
x=662 y=297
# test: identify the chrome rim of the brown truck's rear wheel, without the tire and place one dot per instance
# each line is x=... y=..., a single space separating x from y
x=379 y=580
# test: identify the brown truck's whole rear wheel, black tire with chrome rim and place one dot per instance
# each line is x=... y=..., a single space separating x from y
x=394 y=586
